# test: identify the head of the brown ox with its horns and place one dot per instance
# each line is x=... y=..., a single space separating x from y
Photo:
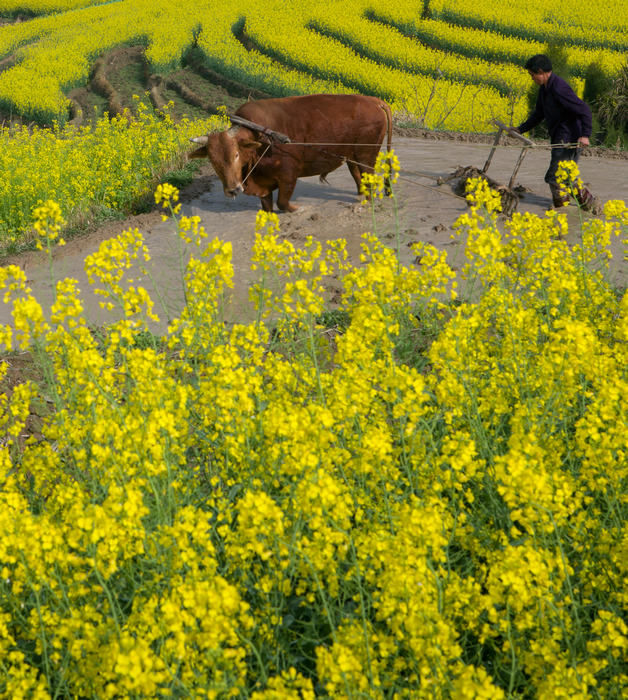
x=232 y=153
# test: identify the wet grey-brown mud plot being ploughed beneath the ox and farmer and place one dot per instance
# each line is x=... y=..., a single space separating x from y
x=426 y=212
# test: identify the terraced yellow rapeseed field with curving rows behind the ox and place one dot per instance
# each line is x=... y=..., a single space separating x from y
x=403 y=51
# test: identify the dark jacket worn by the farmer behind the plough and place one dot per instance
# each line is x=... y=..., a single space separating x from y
x=567 y=117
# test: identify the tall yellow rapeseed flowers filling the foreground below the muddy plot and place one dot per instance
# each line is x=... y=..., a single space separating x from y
x=286 y=509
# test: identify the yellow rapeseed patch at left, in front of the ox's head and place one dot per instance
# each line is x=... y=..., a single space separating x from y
x=87 y=170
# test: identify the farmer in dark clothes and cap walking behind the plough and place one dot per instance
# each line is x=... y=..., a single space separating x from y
x=568 y=121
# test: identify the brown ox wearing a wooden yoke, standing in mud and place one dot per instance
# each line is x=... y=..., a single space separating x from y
x=349 y=128
